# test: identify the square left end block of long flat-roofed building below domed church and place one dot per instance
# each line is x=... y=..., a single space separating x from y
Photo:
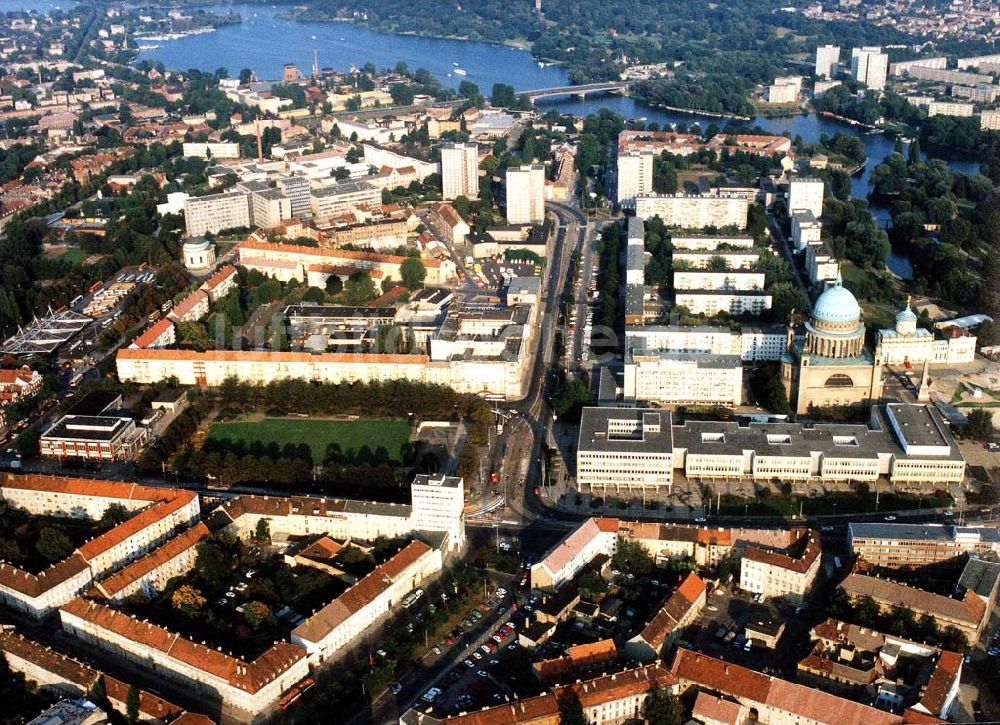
x=625 y=450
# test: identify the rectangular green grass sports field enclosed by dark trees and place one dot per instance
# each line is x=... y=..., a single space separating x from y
x=353 y=437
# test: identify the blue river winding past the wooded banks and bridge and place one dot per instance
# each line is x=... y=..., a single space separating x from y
x=264 y=42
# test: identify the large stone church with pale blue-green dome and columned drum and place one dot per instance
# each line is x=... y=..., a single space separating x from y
x=826 y=362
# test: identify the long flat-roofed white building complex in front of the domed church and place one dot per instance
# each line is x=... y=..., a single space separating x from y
x=907 y=445
